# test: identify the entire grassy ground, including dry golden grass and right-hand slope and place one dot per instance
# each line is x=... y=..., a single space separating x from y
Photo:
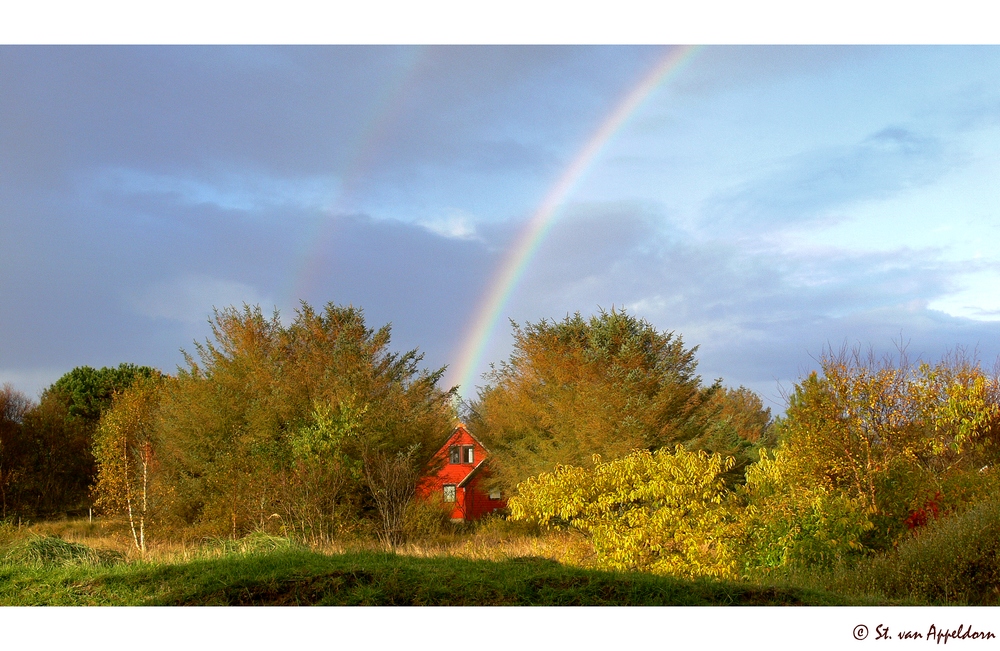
x=77 y=562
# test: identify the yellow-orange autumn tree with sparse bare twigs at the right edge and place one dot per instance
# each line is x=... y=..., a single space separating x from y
x=862 y=447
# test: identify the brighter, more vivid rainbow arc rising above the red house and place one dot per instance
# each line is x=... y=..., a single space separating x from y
x=515 y=263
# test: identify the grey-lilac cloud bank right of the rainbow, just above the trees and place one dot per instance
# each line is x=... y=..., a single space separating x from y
x=759 y=318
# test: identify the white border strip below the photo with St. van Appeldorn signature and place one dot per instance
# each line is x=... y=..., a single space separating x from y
x=485 y=629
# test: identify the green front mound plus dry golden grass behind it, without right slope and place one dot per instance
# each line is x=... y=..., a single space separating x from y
x=52 y=564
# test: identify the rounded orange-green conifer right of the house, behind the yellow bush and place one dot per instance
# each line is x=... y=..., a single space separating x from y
x=576 y=387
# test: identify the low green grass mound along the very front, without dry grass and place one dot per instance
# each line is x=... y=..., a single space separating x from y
x=293 y=576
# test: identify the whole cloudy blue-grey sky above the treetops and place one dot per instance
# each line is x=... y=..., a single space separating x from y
x=762 y=202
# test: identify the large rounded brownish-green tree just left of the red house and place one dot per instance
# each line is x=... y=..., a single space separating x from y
x=272 y=423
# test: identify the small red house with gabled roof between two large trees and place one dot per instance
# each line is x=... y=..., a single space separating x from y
x=460 y=478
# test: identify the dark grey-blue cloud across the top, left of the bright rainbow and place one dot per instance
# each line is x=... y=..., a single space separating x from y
x=381 y=114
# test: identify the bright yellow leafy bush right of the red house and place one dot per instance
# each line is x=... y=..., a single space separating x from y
x=664 y=512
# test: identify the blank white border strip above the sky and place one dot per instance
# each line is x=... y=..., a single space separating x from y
x=495 y=22
